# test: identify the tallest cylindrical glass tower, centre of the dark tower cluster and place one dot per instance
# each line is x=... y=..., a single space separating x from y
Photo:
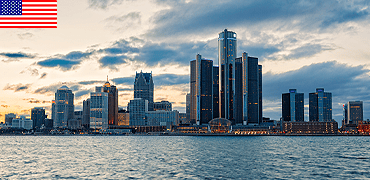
x=227 y=46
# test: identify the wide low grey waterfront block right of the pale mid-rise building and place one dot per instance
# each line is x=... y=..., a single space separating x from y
x=162 y=118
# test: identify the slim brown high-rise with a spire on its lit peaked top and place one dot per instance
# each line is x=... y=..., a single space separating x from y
x=112 y=101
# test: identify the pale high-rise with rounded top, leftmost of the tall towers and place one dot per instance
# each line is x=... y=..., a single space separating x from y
x=63 y=107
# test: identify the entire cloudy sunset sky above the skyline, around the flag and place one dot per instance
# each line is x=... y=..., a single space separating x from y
x=301 y=45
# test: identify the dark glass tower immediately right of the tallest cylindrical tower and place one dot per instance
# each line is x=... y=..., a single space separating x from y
x=252 y=90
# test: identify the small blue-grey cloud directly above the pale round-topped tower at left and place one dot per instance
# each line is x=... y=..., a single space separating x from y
x=65 y=62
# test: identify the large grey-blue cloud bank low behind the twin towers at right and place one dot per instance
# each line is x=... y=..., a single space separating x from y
x=346 y=83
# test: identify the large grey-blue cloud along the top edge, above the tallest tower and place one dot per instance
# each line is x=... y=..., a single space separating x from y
x=184 y=18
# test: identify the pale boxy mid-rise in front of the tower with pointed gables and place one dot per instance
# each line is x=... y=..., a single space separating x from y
x=137 y=108
